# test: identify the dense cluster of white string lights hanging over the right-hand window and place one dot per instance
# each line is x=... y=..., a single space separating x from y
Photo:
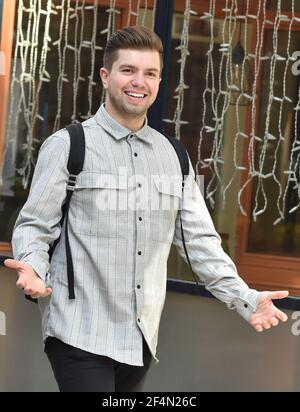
x=263 y=143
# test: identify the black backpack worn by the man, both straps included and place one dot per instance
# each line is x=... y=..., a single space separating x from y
x=75 y=166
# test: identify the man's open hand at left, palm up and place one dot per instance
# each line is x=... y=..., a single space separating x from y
x=28 y=280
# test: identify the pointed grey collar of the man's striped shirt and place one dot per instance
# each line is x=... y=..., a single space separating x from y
x=117 y=130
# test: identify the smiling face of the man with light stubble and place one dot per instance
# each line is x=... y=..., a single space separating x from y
x=133 y=82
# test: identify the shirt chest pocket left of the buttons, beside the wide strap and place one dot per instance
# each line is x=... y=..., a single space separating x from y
x=99 y=204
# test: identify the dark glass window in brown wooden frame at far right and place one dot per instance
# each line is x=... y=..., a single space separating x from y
x=264 y=236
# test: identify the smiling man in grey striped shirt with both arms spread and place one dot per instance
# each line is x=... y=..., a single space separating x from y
x=105 y=338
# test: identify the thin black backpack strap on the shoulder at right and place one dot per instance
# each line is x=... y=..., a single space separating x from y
x=185 y=168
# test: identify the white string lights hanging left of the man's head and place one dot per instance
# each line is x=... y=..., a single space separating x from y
x=30 y=71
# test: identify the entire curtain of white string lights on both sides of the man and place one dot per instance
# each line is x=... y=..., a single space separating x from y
x=30 y=73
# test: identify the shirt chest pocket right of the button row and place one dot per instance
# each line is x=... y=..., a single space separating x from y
x=167 y=196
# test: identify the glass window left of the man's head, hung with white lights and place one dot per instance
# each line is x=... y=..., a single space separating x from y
x=83 y=105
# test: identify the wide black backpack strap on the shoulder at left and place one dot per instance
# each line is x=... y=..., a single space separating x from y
x=75 y=165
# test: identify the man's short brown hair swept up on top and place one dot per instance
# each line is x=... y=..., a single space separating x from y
x=132 y=37
